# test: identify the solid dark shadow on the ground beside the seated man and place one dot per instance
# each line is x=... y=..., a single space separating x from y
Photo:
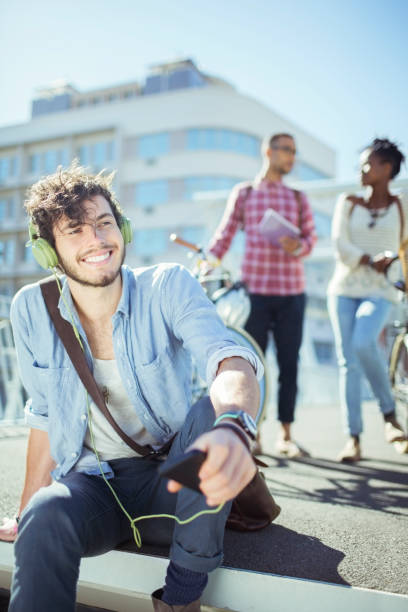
x=282 y=551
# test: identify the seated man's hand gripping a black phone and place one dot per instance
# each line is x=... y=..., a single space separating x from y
x=228 y=468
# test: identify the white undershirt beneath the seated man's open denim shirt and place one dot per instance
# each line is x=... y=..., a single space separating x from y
x=107 y=442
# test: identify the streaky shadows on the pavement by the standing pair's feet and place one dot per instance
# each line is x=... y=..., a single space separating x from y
x=360 y=485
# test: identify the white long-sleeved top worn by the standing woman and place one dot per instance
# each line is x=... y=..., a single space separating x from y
x=352 y=238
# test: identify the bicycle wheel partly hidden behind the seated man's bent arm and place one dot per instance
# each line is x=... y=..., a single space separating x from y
x=241 y=337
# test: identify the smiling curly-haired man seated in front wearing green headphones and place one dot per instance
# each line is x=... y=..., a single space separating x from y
x=138 y=329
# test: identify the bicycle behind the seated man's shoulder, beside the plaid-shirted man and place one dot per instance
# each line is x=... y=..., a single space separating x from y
x=232 y=303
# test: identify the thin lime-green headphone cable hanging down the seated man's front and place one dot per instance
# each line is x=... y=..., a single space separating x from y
x=132 y=521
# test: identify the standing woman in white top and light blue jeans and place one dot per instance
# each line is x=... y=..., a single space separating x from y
x=359 y=296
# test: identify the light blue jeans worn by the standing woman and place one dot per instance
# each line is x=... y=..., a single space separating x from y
x=357 y=323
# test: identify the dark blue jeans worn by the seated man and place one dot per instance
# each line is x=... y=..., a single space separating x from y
x=79 y=517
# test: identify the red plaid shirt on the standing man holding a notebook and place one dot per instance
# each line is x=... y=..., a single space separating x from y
x=266 y=269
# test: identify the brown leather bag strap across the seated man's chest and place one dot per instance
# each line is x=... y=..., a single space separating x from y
x=66 y=334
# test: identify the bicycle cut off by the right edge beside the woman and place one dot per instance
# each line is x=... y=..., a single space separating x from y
x=398 y=360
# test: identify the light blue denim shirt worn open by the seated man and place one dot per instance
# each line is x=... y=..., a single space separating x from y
x=162 y=319
